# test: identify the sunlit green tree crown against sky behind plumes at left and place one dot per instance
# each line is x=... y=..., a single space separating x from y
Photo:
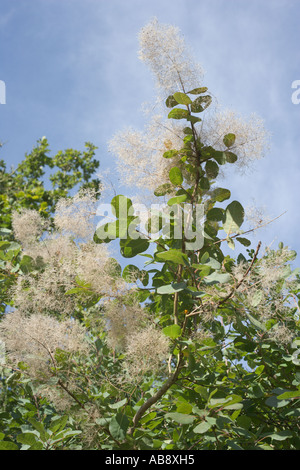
x=33 y=185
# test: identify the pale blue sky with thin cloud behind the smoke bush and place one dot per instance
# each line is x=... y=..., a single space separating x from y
x=72 y=74
